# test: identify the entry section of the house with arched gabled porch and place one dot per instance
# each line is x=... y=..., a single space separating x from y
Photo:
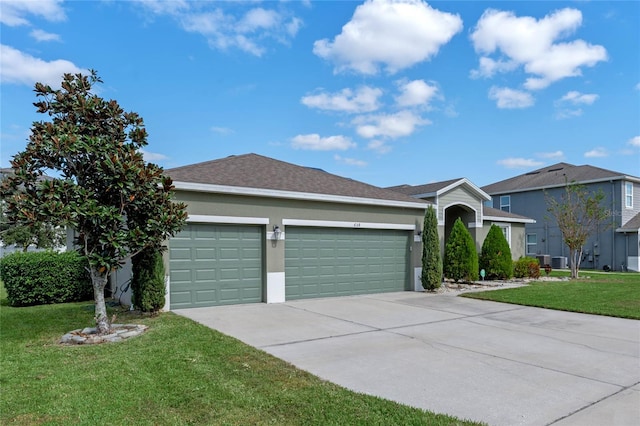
x=460 y=198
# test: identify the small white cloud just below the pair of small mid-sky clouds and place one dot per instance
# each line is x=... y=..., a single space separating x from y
x=402 y=123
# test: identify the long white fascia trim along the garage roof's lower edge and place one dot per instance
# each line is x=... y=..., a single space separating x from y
x=274 y=193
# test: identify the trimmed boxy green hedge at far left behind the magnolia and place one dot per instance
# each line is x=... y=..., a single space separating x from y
x=45 y=277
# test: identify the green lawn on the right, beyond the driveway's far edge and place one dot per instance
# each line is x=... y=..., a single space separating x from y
x=611 y=294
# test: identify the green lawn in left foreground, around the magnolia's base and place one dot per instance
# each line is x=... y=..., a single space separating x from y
x=178 y=372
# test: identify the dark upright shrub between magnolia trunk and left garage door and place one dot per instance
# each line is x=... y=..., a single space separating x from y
x=147 y=282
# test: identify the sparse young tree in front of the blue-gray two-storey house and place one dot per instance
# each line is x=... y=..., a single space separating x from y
x=578 y=212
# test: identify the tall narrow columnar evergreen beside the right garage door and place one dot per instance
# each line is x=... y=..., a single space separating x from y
x=431 y=261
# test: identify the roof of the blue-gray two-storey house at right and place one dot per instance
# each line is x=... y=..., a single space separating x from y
x=556 y=175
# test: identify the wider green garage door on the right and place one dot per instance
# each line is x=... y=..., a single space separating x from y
x=322 y=262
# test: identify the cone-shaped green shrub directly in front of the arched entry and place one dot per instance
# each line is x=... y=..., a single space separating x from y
x=460 y=255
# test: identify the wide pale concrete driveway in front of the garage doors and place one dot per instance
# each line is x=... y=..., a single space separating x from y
x=497 y=363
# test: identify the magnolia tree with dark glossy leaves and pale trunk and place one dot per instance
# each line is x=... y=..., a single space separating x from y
x=116 y=203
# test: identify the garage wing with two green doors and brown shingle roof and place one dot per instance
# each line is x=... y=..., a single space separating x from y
x=262 y=230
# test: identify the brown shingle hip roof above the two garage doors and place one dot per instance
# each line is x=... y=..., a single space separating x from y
x=256 y=171
